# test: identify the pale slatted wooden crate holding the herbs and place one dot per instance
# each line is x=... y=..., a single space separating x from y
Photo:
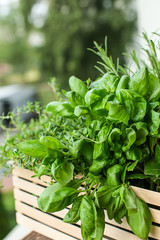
x=26 y=190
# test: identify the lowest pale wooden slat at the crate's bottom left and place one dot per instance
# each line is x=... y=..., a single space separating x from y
x=41 y=228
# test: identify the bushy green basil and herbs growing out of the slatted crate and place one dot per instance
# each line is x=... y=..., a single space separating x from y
x=96 y=144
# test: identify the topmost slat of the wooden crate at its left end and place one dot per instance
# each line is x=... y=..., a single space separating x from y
x=27 y=174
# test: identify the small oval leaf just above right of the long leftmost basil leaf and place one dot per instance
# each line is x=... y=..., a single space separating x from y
x=51 y=142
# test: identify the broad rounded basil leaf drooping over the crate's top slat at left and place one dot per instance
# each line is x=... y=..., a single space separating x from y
x=63 y=172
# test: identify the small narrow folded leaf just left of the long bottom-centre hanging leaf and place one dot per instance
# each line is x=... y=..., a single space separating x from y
x=73 y=214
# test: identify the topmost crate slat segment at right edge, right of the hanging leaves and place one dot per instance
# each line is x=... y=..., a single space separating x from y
x=148 y=196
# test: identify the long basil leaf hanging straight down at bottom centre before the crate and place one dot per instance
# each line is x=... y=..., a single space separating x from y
x=88 y=215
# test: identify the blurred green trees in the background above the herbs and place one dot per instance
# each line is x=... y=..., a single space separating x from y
x=50 y=38
